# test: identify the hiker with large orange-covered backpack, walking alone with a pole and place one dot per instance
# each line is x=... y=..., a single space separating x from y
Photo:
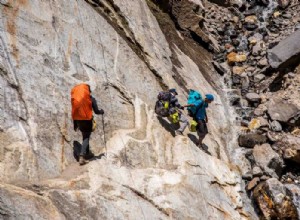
x=83 y=105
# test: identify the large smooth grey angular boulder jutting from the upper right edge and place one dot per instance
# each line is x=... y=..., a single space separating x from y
x=287 y=52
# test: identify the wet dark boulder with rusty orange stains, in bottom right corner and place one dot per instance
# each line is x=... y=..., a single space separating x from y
x=272 y=200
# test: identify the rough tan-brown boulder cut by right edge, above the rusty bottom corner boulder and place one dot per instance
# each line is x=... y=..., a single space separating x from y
x=290 y=145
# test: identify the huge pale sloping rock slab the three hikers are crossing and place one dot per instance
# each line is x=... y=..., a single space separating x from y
x=127 y=55
